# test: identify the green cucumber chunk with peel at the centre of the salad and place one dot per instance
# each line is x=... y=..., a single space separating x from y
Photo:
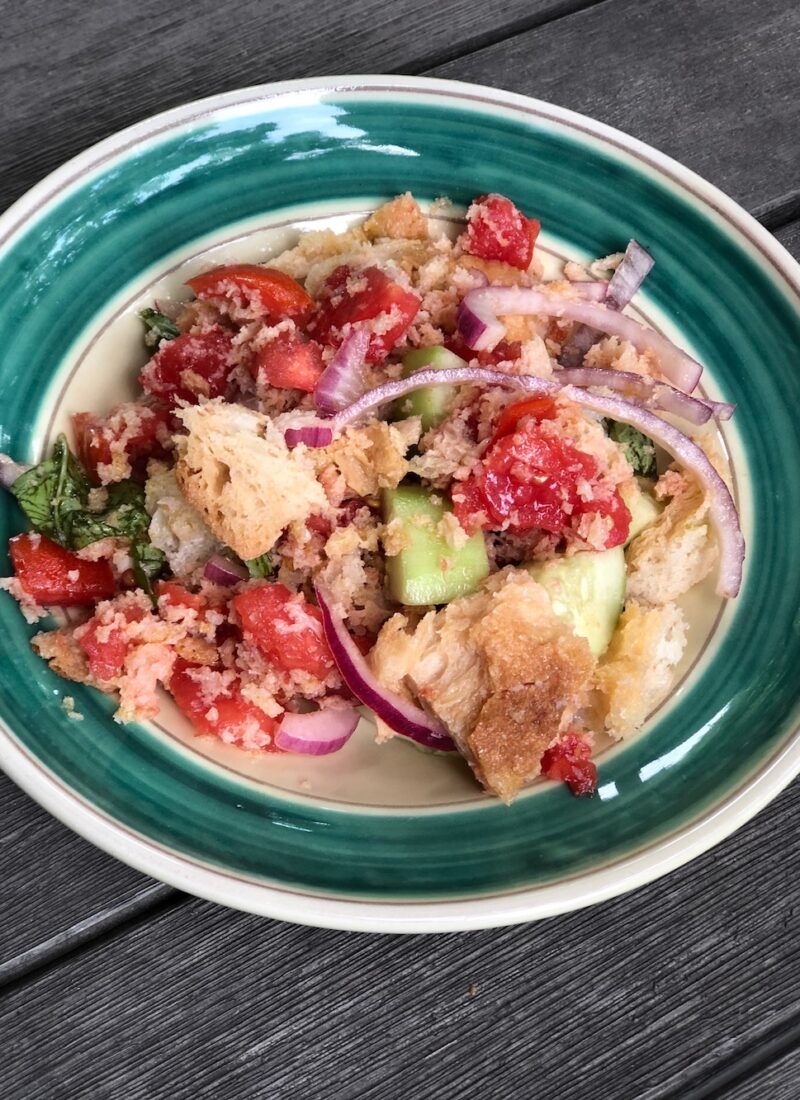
x=429 y=570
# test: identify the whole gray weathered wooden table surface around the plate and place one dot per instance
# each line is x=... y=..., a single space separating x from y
x=115 y=986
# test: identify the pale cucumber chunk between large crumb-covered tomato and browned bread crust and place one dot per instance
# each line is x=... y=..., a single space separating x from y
x=587 y=592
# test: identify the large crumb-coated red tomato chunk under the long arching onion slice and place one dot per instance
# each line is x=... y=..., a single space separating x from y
x=529 y=480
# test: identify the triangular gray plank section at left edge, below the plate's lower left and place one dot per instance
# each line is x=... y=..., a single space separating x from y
x=57 y=887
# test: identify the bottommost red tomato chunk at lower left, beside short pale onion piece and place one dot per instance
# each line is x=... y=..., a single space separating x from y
x=227 y=716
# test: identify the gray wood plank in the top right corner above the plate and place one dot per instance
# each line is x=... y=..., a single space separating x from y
x=715 y=85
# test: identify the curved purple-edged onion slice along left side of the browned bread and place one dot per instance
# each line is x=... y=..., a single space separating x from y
x=399 y=714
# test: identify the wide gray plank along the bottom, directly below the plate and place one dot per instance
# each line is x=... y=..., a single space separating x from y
x=633 y=998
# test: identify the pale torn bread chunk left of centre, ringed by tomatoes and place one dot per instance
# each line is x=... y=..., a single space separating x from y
x=236 y=469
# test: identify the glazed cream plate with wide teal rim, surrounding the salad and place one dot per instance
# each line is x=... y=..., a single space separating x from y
x=106 y=226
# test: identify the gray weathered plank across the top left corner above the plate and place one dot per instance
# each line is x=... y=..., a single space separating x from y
x=72 y=76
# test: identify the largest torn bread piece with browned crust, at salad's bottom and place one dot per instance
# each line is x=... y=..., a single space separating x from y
x=501 y=672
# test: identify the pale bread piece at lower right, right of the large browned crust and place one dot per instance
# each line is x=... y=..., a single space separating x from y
x=639 y=668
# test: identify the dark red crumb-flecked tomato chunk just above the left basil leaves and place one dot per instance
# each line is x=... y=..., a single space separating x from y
x=141 y=432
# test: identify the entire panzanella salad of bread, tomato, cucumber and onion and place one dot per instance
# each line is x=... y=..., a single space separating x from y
x=393 y=470
